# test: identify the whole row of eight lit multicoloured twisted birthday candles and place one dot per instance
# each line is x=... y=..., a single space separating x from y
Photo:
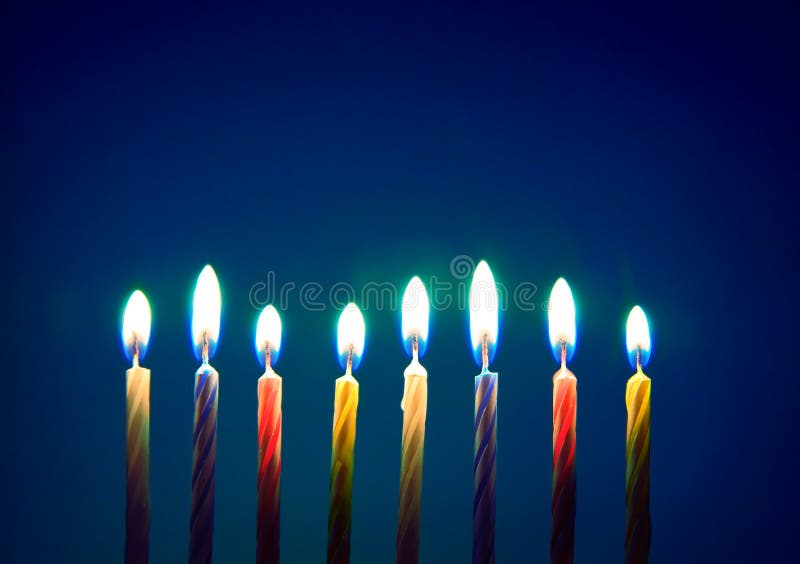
x=483 y=304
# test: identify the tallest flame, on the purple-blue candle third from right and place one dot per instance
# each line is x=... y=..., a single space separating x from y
x=484 y=305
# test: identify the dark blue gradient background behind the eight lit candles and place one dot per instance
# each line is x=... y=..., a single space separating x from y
x=647 y=156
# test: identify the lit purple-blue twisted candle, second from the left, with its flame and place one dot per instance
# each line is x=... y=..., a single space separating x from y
x=205 y=332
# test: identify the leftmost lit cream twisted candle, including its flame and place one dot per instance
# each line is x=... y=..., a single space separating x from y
x=135 y=336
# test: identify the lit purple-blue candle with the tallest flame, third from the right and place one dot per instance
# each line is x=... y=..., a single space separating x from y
x=483 y=323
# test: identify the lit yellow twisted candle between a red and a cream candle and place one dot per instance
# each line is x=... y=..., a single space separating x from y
x=351 y=335
